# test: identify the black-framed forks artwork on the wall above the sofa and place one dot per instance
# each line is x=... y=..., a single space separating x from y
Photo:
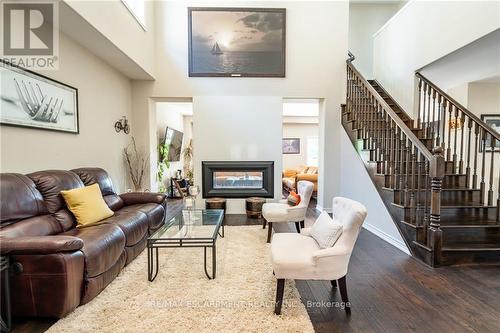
x=28 y=99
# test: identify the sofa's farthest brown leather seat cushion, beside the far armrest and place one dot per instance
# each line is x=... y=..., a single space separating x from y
x=133 y=223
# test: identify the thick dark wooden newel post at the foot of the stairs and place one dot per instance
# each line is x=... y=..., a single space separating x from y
x=436 y=172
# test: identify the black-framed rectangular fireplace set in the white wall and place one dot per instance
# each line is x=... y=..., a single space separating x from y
x=237 y=179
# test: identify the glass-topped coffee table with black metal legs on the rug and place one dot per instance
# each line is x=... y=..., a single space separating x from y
x=189 y=228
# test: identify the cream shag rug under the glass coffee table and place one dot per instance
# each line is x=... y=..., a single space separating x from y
x=182 y=299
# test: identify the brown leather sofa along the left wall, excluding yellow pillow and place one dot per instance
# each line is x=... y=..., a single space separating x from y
x=64 y=266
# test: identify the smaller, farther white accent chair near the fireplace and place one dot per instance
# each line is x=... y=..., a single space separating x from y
x=275 y=212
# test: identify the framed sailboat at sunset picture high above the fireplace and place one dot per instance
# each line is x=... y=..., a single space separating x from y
x=237 y=42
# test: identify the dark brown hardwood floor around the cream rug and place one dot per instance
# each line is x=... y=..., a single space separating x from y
x=389 y=292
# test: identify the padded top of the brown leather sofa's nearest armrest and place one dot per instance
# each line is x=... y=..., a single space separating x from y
x=40 y=244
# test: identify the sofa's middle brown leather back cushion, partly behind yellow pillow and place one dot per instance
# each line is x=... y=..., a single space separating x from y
x=50 y=183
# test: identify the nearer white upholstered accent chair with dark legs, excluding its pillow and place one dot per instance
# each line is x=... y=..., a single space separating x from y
x=299 y=257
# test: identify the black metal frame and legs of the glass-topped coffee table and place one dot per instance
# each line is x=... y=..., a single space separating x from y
x=154 y=244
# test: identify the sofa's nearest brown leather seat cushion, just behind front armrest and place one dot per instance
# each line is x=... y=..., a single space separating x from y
x=43 y=225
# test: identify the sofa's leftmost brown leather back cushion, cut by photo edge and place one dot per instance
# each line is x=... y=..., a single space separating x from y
x=24 y=200
